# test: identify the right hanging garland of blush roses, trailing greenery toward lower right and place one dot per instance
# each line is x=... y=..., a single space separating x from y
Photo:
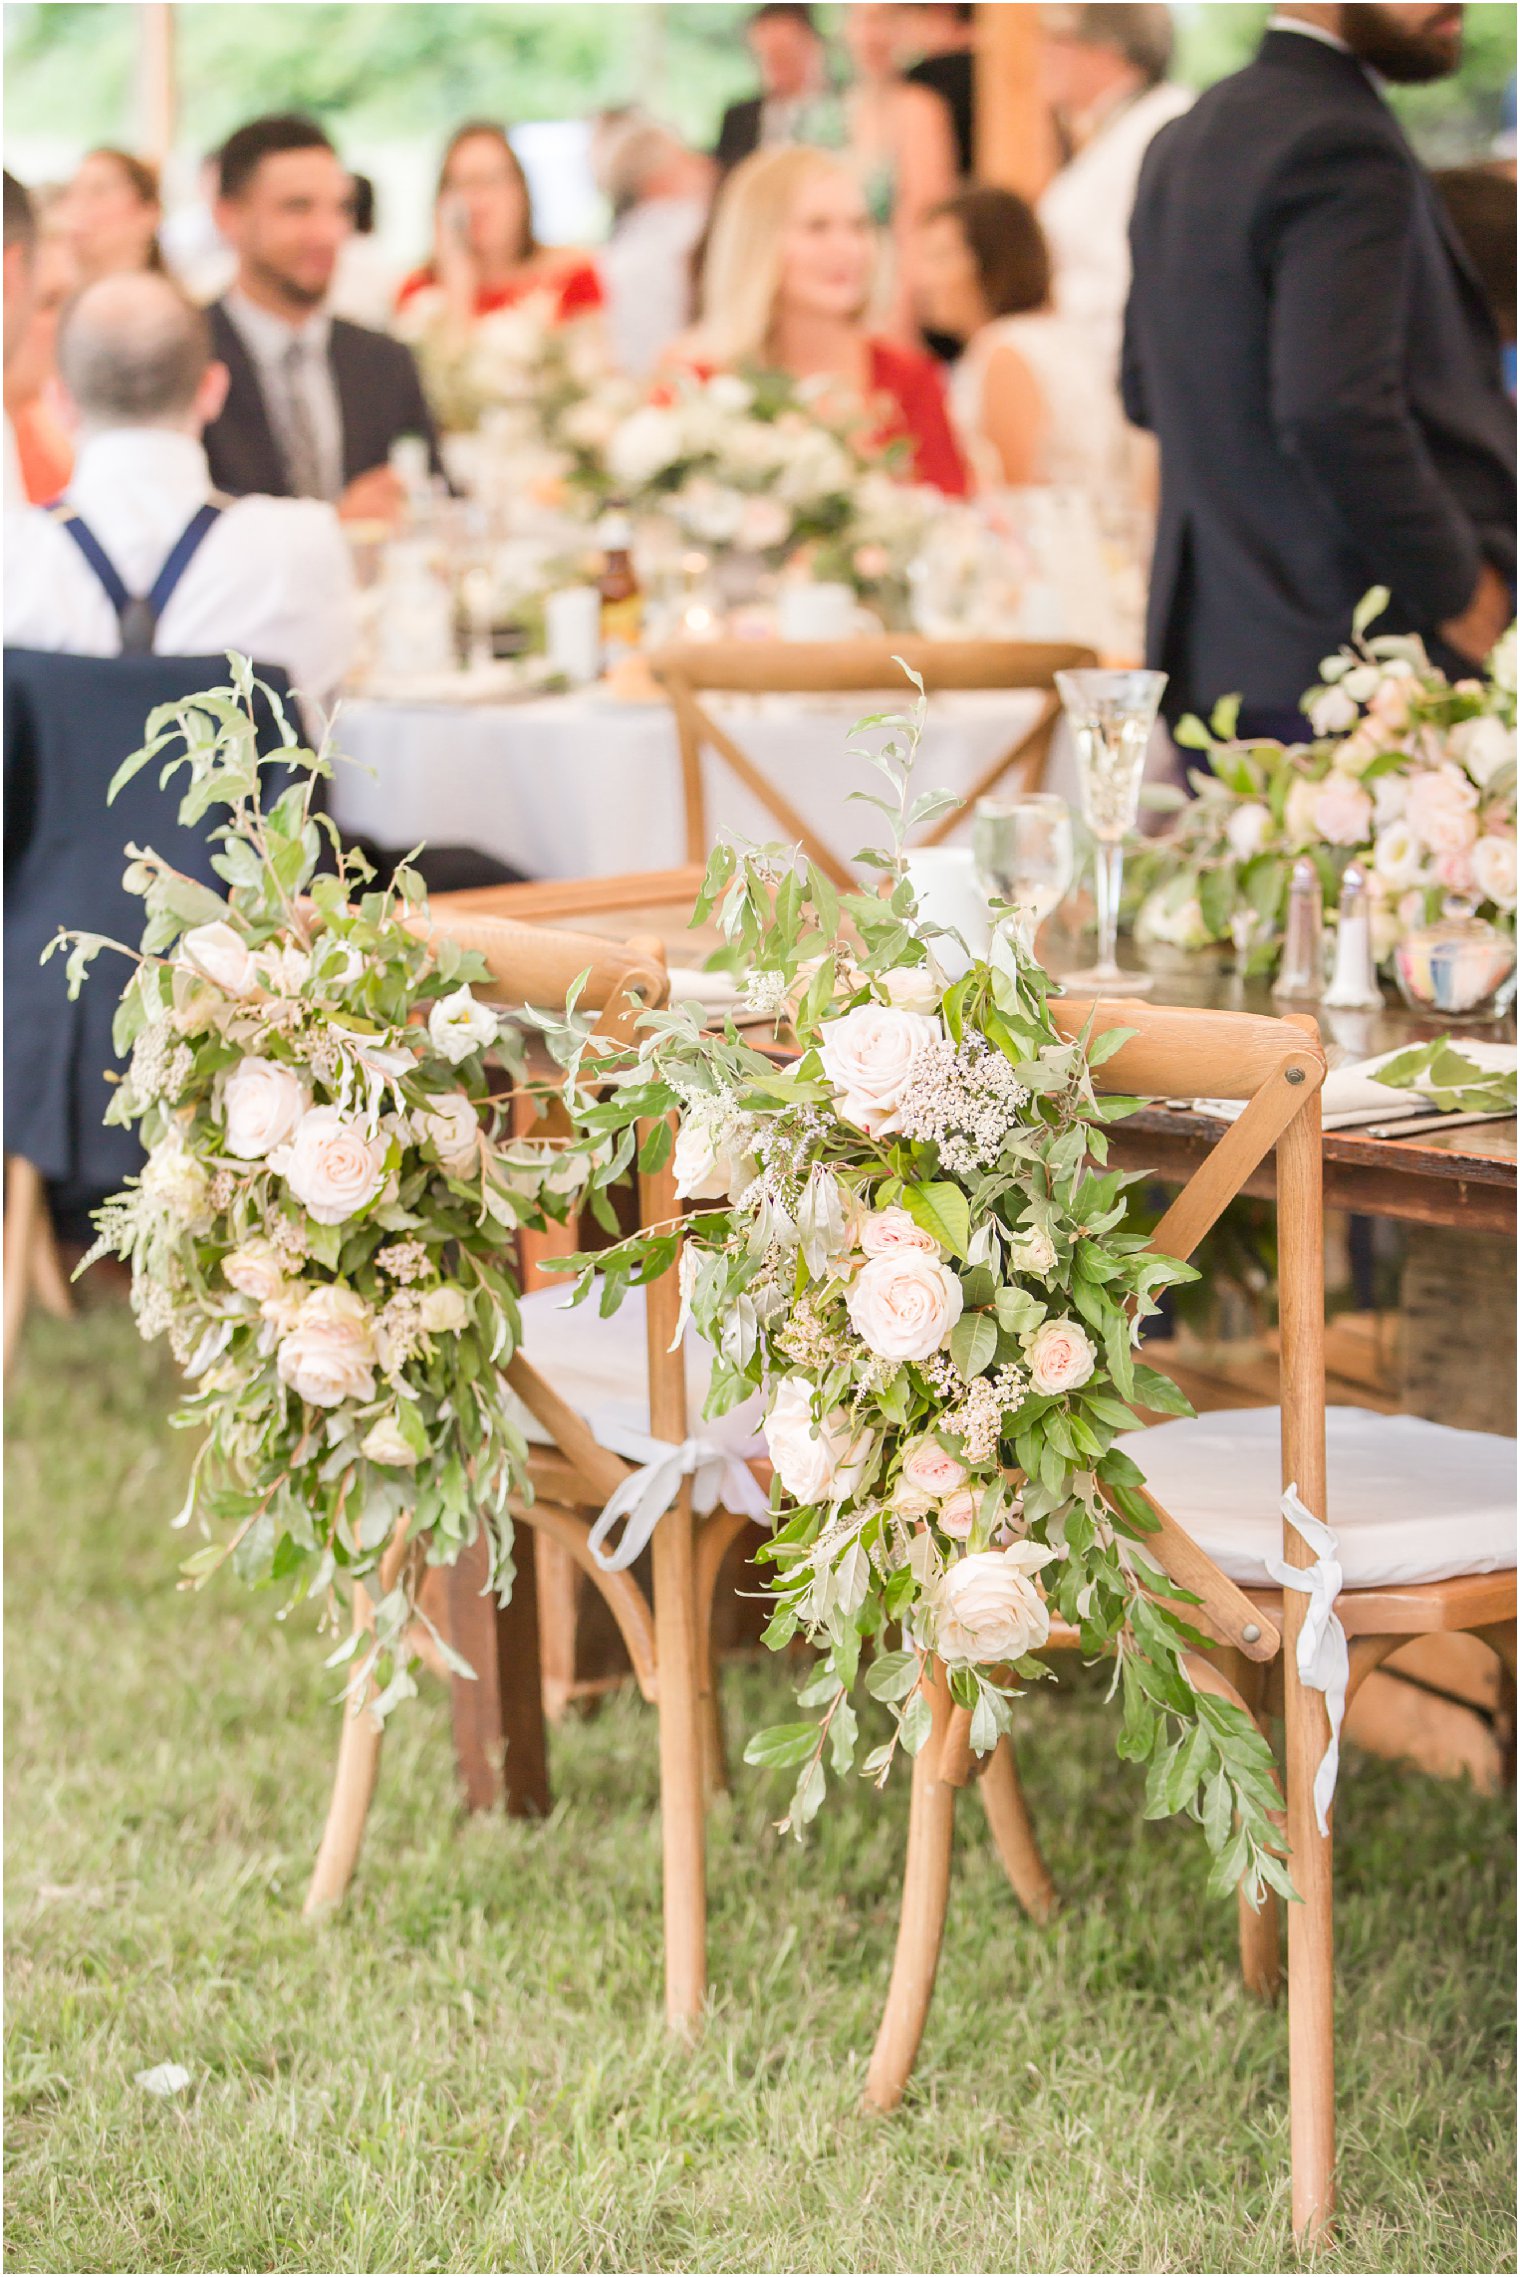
x=911 y=1244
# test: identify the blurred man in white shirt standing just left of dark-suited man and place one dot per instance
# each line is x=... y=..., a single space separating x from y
x=1105 y=74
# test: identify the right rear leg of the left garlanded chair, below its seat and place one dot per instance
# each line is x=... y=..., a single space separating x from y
x=681 y=1770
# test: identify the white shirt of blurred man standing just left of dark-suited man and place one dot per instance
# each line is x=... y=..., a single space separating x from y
x=1087 y=211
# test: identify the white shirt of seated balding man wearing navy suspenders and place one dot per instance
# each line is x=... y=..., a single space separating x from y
x=270 y=579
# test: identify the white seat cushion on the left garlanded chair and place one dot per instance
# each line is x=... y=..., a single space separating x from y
x=602 y=1370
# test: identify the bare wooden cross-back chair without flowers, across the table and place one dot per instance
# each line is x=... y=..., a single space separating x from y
x=693 y=671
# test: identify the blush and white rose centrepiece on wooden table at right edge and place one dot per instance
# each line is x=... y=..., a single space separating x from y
x=1407 y=773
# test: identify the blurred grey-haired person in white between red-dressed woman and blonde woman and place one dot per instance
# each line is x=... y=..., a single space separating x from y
x=659 y=192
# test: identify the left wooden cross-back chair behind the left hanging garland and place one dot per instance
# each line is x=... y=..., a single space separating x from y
x=575 y=1479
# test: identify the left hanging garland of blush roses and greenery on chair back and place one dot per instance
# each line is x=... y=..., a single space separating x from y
x=327 y=1197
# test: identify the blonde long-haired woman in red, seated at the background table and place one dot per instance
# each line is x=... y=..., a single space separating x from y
x=786 y=286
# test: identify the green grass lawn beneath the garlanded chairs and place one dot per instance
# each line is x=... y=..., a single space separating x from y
x=468 y=2069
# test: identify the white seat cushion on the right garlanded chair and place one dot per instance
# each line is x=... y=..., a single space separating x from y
x=1407 y=1499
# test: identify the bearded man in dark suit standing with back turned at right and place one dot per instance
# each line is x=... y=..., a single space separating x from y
x=1316 y=359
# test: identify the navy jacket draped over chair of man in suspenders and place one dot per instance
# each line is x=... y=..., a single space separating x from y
x=69 y=723
